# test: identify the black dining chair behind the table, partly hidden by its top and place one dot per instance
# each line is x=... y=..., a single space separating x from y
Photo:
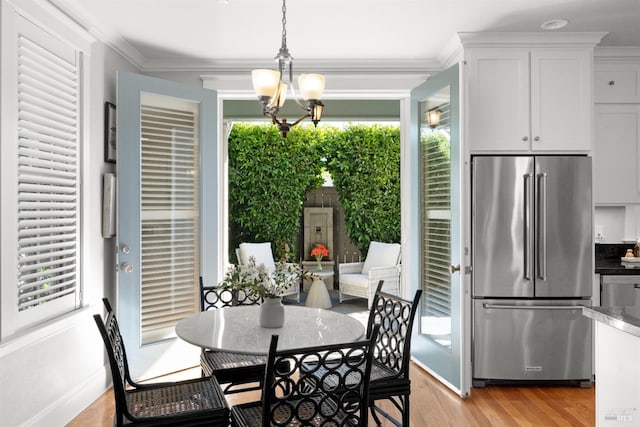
x=238 y=372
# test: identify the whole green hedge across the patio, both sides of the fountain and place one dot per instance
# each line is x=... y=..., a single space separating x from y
x=269 y=179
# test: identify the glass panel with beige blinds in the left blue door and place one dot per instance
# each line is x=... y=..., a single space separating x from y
x=170 y=206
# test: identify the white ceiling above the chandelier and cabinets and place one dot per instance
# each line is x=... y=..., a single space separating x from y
x=160 y=35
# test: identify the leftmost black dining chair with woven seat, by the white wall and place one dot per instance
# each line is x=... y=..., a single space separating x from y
x=192 y=402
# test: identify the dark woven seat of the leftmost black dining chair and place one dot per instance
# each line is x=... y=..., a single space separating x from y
x=200 y=399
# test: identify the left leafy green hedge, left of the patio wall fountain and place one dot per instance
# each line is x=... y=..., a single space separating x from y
x=269 y=179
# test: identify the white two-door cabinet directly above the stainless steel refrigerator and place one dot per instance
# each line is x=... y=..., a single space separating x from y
x=529 y=99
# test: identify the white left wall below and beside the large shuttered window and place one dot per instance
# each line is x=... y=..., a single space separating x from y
x=50 y=374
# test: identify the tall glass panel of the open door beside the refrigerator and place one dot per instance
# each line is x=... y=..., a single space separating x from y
x=435 y=158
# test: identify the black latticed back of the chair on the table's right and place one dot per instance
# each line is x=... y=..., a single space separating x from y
x=395 y=317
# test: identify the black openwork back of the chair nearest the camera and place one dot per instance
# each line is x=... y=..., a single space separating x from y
x=326 y=385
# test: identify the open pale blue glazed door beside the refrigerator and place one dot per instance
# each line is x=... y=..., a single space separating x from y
x=439 y=340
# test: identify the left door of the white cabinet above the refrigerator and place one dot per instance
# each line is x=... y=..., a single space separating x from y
x=498 y=99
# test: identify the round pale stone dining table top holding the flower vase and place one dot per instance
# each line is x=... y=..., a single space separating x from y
x=237 y=329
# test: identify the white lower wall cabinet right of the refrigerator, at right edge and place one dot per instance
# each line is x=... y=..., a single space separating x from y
x=616 y=154
